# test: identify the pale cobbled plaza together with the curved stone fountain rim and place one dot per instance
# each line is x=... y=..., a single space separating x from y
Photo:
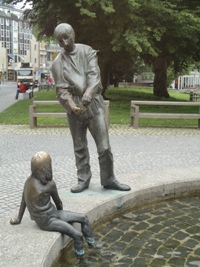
x=157 y=163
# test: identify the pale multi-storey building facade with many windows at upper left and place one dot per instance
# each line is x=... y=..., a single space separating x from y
x=17 y=42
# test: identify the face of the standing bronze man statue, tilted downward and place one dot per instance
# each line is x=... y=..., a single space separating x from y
x=66 y=40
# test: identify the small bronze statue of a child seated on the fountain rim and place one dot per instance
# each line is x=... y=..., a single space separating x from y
x=38 y=190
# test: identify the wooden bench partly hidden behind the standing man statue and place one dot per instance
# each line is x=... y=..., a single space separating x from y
x=33 y=114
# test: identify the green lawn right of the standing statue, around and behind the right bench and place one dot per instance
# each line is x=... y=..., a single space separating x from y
x=120 y=107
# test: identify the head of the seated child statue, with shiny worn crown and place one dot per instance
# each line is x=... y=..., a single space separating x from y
x=41 y=167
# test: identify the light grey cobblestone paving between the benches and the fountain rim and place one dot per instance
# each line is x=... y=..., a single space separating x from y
x=134 y=150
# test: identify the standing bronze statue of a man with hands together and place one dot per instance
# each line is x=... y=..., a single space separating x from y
x=78 y=87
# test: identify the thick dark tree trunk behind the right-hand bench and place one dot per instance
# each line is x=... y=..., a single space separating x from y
x=160 y=79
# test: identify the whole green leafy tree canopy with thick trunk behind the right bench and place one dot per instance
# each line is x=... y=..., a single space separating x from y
x=163 y=33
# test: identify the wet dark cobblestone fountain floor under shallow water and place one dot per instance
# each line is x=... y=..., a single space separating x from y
x=164 y=234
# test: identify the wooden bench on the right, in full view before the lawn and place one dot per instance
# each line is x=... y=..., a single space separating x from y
x=135 y=114
